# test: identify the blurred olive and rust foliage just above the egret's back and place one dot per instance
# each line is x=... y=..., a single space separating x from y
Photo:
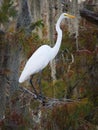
x=29 y=43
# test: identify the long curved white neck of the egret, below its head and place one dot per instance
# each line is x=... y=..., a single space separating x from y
x=59 y=38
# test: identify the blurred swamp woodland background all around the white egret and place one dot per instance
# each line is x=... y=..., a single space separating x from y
x=70 y=81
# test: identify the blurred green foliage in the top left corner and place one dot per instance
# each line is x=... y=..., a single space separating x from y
x=7 y=10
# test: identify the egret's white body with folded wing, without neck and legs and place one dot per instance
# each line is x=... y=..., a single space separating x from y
x=36 y=62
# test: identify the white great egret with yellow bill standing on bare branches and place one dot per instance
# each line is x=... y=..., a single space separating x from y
x=43 y=55
